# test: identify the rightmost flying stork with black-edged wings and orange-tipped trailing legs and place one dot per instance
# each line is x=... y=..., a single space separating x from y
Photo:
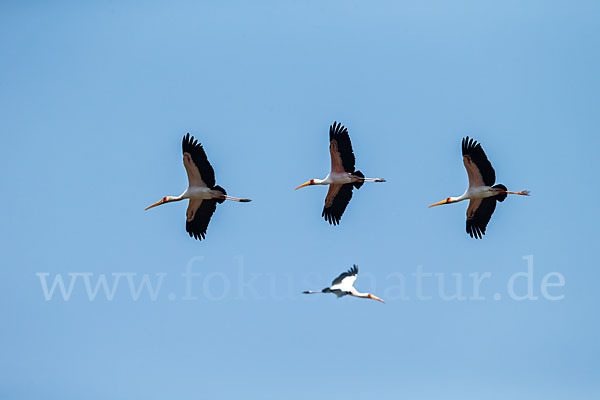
x=482 y=192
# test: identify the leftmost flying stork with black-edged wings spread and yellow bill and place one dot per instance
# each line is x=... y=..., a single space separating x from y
x=202 y=190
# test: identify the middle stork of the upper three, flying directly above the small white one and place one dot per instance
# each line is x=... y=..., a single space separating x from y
x=343 y=176
